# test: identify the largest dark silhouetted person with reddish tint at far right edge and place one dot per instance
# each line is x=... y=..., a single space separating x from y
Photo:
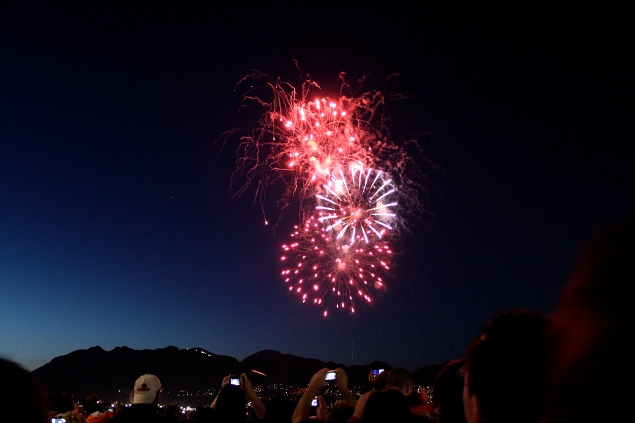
x=592 y=374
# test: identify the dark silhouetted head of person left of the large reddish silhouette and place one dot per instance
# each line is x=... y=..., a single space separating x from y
x=505 y=369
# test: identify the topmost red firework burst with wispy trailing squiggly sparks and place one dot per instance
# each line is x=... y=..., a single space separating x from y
x=303 y=137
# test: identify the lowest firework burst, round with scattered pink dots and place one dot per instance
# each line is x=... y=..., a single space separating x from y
x=329 y=273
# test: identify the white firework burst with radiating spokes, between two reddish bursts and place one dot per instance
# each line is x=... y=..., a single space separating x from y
x=358 y=206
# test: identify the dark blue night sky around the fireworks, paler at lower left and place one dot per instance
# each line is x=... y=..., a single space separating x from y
x=119 y=227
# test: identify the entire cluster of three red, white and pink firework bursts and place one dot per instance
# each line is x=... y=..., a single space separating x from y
x=334 y=158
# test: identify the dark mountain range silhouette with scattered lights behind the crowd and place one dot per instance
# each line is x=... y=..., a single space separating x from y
x=189 y=376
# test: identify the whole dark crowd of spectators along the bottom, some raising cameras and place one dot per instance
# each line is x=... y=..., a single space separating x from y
x=523 y=366
